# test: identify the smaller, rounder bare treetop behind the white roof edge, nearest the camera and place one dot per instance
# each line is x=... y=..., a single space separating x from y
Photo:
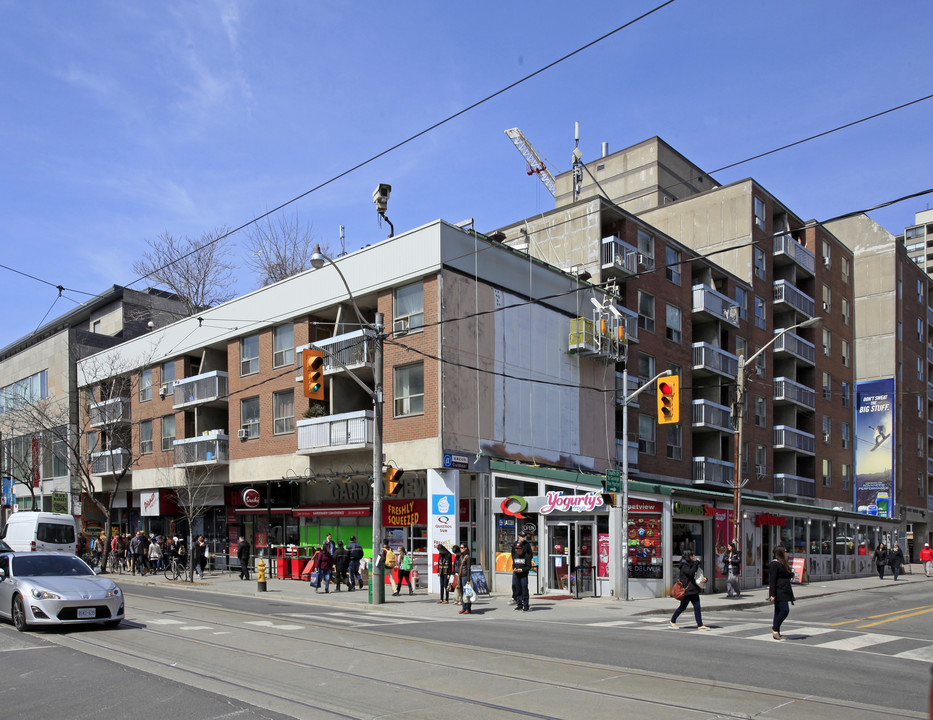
x=279 y=247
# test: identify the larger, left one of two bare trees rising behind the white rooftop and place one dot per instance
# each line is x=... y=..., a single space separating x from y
x=200 y=271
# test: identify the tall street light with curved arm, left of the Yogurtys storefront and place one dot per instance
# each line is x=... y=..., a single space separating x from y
x=377 y=572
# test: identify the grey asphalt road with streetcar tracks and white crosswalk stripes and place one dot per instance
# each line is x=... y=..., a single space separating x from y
x=195 y=654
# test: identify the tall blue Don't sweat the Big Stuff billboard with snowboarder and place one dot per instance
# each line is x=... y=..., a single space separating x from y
x=874 y=447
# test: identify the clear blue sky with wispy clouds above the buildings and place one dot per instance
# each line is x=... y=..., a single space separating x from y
x=123 y=120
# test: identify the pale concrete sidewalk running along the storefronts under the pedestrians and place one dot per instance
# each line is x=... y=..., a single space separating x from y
x=423 y=603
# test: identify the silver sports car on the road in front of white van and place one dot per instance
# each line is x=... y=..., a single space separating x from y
x=55 y=589
